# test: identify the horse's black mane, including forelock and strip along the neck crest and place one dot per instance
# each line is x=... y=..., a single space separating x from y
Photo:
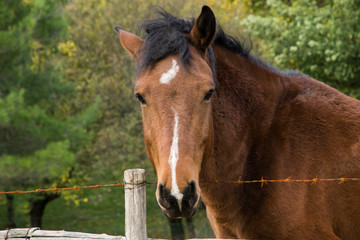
x=165 y=36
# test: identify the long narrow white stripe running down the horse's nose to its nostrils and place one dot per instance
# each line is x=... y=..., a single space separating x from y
x=173 y=158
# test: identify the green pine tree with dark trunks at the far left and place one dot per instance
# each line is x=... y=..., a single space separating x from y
x=39 y=142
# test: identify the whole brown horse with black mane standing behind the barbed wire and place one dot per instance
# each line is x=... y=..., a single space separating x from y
x=212 y=111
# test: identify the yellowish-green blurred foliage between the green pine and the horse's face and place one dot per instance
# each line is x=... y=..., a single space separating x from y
x=98 y=66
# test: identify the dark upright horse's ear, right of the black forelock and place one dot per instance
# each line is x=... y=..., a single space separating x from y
x=204 y=29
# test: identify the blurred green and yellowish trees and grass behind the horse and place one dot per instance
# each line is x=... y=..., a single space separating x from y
x=67 y=111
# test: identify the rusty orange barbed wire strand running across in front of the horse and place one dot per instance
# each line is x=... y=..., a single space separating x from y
x=262 y=181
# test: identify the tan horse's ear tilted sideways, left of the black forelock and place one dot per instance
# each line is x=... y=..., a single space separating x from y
x=130 y=42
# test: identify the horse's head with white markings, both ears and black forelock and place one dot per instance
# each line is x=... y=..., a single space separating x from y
x=174 y=85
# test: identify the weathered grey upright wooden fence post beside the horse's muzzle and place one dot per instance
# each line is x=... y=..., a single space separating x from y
x=135 y=204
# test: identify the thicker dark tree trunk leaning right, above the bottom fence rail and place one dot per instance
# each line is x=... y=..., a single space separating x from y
x=37 y=208
